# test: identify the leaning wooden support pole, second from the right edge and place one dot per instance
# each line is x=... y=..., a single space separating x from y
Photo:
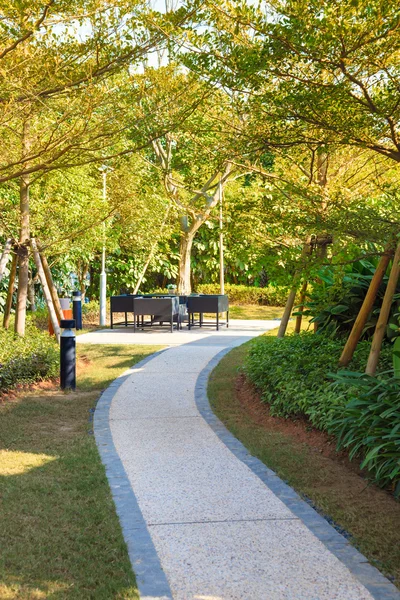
x=366 y=308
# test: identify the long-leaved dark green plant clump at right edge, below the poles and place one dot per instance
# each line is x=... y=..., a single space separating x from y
x=369 y=424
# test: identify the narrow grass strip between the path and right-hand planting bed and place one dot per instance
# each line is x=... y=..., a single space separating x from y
x=368 y=514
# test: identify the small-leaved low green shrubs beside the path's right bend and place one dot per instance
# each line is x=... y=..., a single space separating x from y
x=292 y=374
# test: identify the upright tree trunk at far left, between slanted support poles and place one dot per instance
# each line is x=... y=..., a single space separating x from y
x=23 y=245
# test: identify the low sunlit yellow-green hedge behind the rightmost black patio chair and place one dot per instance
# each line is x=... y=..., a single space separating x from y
x=245 y=294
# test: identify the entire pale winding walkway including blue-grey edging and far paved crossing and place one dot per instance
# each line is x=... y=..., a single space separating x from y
x=202 y=519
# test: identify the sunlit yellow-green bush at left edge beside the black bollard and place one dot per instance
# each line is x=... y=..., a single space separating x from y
x=27 y=359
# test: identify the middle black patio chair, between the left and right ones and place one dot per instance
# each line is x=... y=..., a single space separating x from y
x=161 y=310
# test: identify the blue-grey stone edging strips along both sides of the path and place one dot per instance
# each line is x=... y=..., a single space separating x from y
x=151 y=580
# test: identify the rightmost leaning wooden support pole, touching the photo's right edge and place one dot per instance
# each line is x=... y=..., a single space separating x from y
x=384 y=315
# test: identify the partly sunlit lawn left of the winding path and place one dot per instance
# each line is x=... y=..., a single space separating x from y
x=60 y=536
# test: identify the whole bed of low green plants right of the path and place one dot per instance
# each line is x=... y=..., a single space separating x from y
x=296 y=378
